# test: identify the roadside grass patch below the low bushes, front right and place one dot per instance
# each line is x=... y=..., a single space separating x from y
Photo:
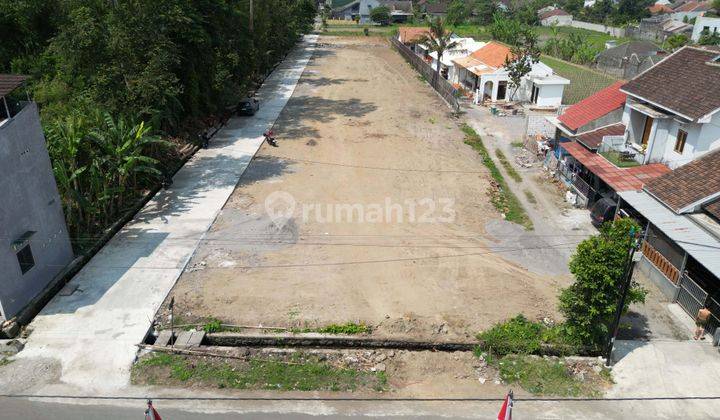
x=544 y=377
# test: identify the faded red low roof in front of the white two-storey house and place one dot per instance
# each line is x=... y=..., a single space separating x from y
x=619 y=179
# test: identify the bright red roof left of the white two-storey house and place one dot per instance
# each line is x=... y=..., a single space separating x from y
x=594 y=106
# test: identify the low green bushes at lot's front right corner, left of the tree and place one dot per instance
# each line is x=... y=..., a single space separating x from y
x=521 y=336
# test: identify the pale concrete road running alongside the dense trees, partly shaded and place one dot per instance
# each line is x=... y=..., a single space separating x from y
x=93 y=331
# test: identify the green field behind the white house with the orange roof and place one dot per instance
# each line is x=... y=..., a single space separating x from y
x=583 y=81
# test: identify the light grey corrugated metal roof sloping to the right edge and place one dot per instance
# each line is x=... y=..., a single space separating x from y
x=701 y=245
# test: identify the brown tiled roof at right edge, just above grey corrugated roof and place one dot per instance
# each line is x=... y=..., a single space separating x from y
x=691 y=183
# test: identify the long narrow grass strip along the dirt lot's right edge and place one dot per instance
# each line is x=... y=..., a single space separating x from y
x=501 y=197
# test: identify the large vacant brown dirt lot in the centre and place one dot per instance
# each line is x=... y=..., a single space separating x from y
x=362 y=129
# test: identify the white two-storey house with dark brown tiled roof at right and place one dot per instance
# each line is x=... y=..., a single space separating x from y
x=670 y=119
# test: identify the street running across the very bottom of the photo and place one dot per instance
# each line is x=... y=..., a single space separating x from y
x=20 y=408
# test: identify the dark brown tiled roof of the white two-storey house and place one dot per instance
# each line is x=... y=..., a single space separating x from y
x=683 y=83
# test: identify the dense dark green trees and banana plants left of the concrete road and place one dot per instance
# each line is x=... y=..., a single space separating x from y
x=111 y=77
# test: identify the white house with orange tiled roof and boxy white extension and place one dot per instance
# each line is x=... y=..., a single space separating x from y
x=484 y=72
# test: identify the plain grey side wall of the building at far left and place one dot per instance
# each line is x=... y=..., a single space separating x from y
x=30 y=202
